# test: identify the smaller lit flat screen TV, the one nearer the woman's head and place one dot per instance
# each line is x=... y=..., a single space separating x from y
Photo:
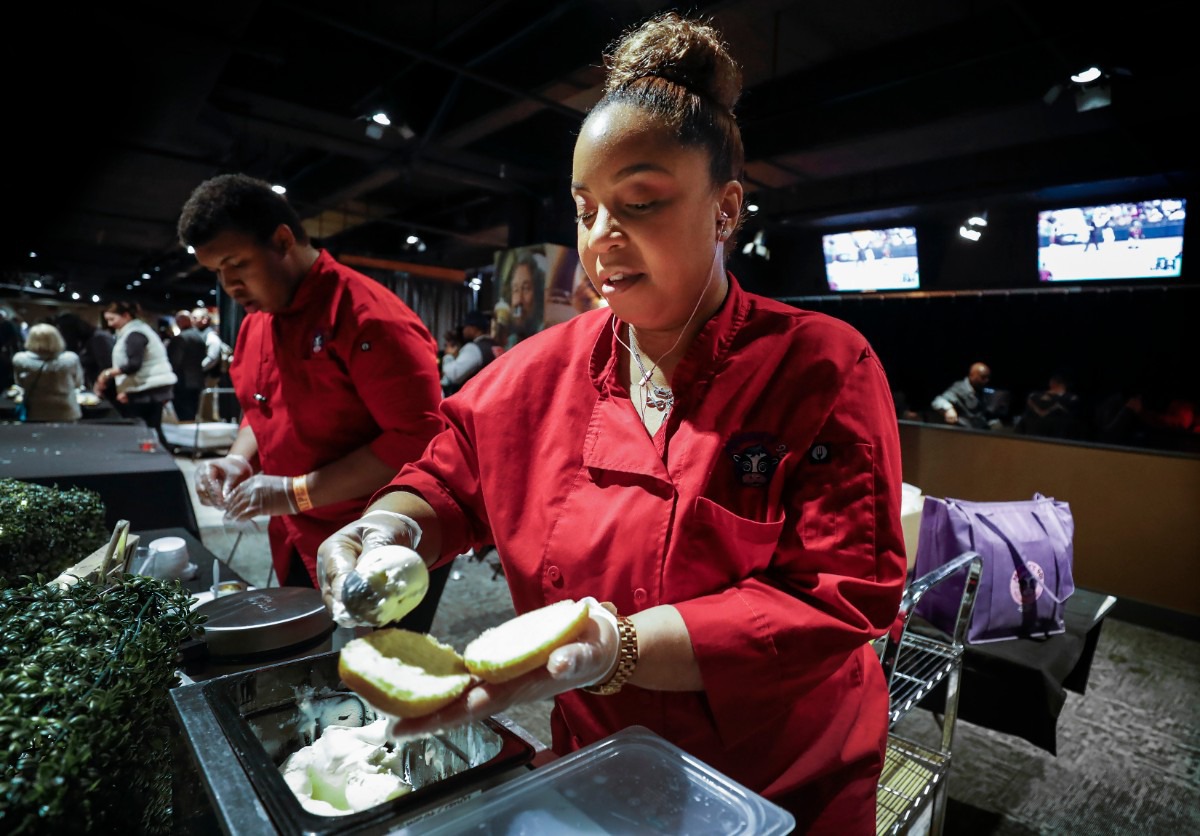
x=865 y=261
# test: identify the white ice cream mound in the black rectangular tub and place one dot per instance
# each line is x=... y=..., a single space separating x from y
x=349 y=769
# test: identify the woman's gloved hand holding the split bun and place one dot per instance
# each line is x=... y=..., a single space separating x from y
x=586 y=661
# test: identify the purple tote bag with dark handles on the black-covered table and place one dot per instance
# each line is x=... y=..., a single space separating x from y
x=1028 y=554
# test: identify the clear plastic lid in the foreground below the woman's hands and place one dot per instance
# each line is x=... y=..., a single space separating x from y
x=632 y=783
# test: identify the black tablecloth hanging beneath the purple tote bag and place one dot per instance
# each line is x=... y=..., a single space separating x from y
x=1019 y=687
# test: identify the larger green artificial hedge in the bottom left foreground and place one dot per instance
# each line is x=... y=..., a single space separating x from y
x=86 y=718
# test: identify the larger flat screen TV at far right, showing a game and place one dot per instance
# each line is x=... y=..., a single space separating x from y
x=1115 y=242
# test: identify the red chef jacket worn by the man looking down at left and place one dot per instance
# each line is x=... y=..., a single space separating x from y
x=345 y=365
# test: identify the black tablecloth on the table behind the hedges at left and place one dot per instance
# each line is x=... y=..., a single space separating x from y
x=147 y=489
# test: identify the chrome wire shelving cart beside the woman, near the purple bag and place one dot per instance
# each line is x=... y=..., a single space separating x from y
x=913 y=787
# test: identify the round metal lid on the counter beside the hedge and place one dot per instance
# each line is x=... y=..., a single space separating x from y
x=263 y=621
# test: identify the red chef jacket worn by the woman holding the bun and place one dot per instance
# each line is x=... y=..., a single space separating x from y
x=769 y=516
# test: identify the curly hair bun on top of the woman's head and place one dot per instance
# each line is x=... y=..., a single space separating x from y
x=686 y=52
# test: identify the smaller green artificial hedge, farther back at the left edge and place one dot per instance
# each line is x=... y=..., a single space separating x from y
x=45 y=531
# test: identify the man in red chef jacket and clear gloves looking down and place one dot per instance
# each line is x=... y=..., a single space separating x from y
x=337 y=377
